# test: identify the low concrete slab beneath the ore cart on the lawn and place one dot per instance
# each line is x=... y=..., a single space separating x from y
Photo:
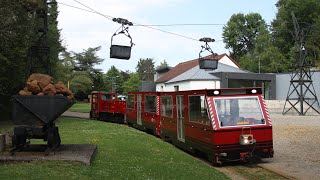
x=83 y=153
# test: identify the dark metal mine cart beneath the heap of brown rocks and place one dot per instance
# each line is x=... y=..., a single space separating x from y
x=34 y=118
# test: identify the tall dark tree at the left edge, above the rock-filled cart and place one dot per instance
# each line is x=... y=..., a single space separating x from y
x=16 y=35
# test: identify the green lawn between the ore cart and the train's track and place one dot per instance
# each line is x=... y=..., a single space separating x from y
x=123 y=153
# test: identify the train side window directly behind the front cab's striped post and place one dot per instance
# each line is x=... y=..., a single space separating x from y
x=198 y=110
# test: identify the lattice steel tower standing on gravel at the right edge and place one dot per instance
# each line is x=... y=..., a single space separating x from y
x=301 y=95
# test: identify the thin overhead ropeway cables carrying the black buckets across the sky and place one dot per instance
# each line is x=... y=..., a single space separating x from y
x=146 y=26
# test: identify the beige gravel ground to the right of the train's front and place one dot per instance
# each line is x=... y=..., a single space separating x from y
x=296 y=141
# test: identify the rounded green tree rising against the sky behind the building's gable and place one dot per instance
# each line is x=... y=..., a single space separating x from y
x=241 y=32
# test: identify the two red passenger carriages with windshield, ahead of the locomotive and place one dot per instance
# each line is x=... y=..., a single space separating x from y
x=223 y=124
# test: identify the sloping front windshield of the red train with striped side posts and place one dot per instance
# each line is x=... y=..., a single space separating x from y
x=239 y=111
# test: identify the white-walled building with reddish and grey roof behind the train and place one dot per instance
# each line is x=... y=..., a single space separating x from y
x=188 y=76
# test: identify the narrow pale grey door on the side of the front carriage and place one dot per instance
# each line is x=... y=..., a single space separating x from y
x=180 y=118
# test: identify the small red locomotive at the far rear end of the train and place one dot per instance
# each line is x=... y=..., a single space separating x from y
x=106 y=106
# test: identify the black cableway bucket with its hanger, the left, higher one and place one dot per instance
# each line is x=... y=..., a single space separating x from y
x=120 y=51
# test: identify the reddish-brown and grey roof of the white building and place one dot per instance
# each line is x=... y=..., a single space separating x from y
x=193 y=65
